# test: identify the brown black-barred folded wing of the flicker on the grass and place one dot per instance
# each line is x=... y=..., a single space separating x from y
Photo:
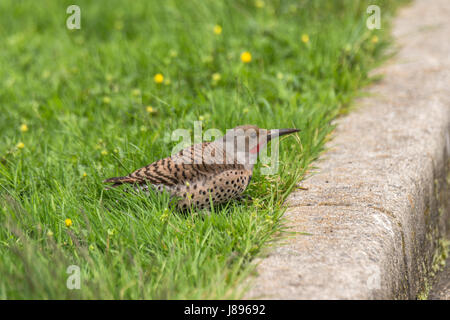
x=190 y=164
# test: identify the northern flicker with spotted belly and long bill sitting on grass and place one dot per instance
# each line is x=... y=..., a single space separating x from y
x=206 y=172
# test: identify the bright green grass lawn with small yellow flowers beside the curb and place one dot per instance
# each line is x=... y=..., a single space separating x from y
x=83 y=95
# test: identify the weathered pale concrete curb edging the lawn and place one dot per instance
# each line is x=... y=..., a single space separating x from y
x=380 y=199
